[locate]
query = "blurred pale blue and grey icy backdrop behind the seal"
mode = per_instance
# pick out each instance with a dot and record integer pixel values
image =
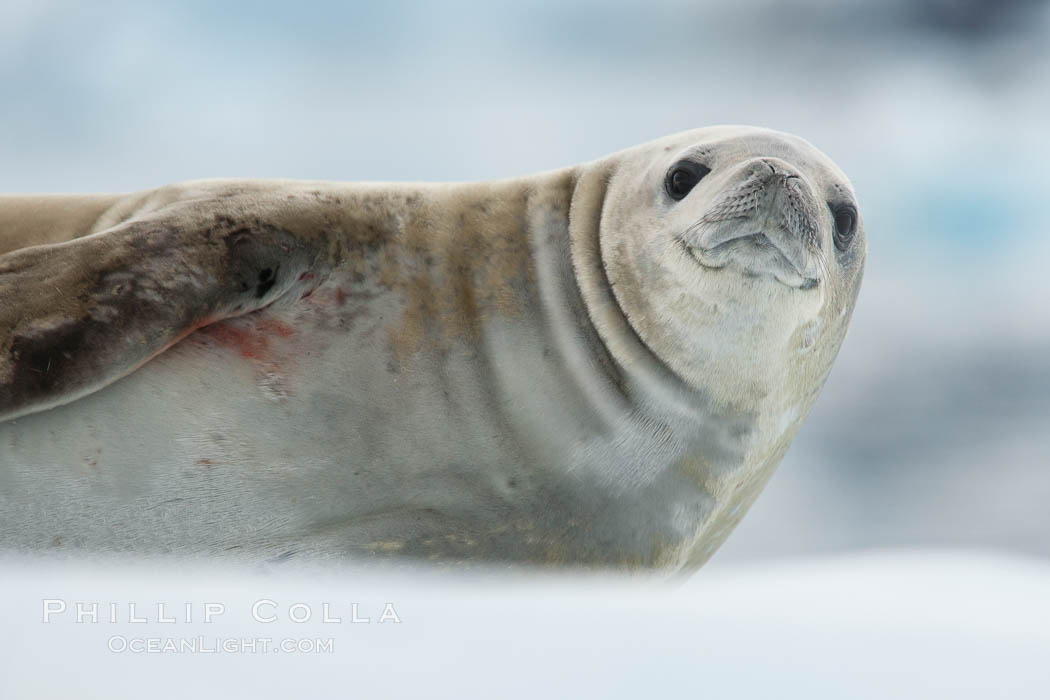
(935, 427)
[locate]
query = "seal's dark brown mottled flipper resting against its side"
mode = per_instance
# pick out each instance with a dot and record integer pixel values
(77, 316)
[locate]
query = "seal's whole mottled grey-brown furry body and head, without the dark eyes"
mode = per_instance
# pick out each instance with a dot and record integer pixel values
(569, 368)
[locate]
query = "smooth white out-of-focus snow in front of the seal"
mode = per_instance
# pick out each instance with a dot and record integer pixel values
(889, 625)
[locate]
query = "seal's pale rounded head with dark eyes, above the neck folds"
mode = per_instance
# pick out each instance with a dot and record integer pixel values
(736, 254)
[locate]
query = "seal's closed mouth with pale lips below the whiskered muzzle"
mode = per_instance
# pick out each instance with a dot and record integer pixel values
(757, 254)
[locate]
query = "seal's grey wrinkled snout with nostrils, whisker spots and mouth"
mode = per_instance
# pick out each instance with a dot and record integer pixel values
(765, 220)
